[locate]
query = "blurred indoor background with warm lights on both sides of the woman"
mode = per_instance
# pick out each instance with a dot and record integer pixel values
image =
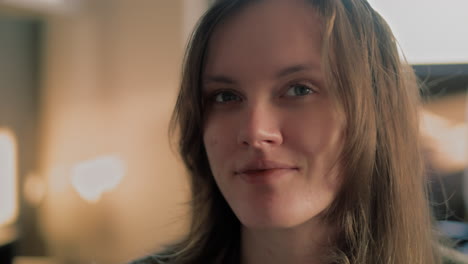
(87, 87)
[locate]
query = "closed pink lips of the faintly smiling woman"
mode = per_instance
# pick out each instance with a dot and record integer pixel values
(261, 171)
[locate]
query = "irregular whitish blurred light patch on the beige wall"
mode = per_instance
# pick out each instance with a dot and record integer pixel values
(94, 177)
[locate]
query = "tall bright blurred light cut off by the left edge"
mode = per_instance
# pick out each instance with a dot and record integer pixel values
(8, 184)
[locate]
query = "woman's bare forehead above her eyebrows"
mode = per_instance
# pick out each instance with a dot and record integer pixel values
(264, 37)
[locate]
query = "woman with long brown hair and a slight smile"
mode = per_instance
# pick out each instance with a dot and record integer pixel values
(299, 129)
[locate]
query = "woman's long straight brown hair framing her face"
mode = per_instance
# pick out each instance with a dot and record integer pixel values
(381, 210)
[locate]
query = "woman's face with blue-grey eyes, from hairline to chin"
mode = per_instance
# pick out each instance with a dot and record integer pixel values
(271, 132)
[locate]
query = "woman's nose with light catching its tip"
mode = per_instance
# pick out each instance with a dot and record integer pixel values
(260, 127)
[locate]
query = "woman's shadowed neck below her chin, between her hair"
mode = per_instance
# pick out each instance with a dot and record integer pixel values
(302, 244)
